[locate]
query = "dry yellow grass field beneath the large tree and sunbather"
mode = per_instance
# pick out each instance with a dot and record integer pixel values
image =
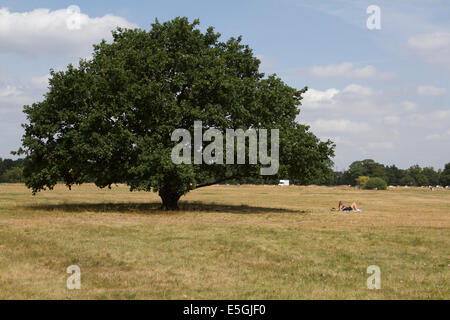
(227, 242)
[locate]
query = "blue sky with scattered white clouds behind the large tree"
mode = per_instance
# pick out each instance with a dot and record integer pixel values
(381, 94)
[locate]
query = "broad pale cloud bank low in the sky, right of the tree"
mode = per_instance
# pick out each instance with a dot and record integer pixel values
(372, 123)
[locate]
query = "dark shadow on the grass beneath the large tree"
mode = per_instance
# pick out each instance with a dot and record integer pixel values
(155, 207)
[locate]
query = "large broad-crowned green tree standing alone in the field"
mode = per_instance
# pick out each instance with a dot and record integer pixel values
(110, 120)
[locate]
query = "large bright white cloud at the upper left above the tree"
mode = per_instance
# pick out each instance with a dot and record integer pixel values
(42, 31)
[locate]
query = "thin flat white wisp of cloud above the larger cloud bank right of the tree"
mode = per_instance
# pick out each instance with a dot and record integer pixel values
(347, 70)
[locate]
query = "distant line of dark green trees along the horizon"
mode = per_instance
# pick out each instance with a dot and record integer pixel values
(11, 171)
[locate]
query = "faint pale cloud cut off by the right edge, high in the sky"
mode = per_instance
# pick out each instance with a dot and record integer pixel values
(433, 48)
